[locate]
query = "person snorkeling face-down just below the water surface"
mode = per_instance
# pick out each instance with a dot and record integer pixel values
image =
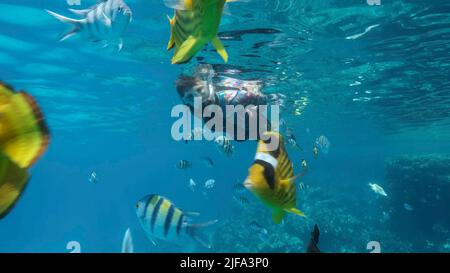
(221, 94)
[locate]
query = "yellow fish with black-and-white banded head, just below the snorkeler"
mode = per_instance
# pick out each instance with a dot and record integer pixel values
(271, 177)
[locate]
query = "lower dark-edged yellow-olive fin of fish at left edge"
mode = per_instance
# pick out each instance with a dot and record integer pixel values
(13, 180)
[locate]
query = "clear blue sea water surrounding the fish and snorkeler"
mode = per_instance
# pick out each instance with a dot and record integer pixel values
(373, 79)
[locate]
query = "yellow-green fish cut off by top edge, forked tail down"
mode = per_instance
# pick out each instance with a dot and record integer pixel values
(195, 23)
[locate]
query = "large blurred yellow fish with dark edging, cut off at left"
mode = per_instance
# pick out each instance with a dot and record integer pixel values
(24, 137)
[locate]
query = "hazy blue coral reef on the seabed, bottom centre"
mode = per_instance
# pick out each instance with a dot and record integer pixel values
(340, 230)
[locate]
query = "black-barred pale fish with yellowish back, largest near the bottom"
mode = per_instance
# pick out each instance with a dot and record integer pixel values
(161, 219)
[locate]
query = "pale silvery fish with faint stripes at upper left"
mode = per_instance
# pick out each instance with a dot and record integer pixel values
(106, 21)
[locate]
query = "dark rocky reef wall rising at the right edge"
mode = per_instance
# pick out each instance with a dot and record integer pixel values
(419, 200)
